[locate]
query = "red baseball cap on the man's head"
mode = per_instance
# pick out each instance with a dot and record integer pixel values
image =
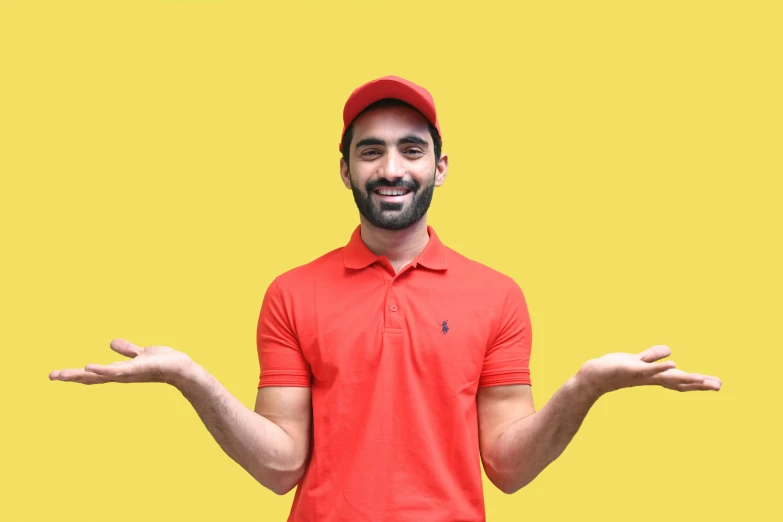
(388, 87)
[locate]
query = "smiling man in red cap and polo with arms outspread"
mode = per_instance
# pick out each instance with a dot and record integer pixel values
(392, 367)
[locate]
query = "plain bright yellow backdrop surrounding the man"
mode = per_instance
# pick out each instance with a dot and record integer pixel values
(162, 161)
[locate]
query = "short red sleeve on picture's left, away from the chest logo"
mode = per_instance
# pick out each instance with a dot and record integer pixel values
(279, 353)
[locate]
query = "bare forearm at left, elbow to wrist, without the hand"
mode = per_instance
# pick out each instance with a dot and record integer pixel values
(257, 444)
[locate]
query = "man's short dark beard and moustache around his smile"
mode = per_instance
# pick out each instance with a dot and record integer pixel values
(393, 216)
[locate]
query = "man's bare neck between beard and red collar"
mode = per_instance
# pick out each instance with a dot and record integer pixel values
(399, 246)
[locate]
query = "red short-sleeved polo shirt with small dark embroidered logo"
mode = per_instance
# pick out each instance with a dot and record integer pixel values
(394, 362)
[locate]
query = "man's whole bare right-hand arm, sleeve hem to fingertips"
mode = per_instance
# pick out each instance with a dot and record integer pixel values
(517, 442)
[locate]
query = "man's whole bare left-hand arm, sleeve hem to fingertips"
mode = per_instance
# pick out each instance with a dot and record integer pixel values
(272, 443)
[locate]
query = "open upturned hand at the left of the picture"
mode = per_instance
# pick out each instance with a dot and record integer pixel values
(151, 364)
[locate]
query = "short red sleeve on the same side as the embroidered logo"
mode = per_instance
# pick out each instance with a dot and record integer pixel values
(507, 359)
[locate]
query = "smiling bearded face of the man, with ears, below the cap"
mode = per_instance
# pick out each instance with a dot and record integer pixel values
(392, 170)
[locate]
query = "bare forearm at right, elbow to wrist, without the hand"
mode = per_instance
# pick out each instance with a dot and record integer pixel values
(530, 444)
